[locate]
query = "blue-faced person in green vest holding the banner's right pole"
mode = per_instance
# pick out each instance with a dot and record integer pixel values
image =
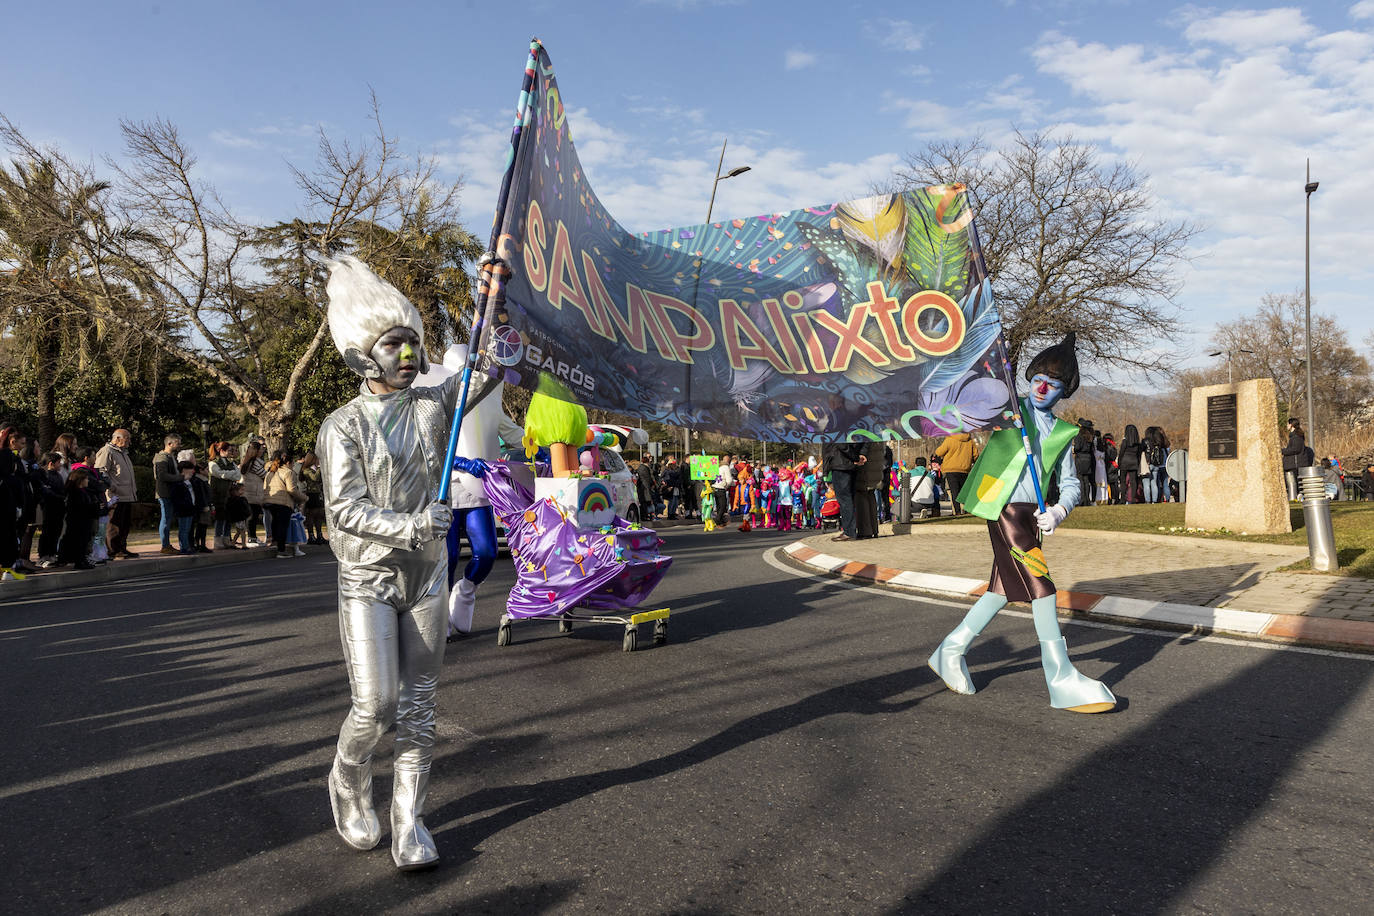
(1001, 490)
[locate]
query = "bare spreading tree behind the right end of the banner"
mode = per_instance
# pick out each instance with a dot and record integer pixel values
(1072, 244)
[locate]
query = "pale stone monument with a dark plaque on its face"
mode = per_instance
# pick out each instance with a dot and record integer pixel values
(1236, 473)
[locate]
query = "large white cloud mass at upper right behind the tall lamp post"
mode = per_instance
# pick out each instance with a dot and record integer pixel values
(1225, 138)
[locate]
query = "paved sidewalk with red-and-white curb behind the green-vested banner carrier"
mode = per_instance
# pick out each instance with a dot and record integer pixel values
(1153, 580)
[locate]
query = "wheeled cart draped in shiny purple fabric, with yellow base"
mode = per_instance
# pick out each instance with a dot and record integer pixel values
(561, 568)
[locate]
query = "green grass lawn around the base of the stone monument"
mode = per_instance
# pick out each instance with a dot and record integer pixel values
(1353, 523)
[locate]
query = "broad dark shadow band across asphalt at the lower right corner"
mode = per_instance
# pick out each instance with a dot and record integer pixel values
(1130, 830)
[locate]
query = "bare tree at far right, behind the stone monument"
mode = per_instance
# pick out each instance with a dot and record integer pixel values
(1273, 344)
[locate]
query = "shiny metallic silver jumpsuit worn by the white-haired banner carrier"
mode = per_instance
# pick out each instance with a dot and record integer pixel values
(383, 461)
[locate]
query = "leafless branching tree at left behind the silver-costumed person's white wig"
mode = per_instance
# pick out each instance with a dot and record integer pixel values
(167, 262)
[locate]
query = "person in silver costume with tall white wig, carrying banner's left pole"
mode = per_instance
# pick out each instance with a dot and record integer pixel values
(383, 462)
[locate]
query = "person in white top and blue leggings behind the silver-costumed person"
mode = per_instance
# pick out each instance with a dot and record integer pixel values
(486, 425)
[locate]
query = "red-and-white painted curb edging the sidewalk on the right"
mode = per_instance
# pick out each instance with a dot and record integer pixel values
(1192, 619)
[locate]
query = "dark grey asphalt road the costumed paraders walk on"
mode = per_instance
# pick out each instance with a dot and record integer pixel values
(788, 752)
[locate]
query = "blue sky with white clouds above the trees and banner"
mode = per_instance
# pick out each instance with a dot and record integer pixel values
(1218, 104)
